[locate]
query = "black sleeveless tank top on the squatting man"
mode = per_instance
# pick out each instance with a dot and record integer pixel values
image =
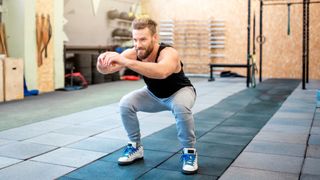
(163, 88)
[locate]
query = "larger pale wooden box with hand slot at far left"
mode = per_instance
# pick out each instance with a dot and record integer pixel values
(13, 79)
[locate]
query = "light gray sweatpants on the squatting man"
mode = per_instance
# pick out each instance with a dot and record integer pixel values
(180, 104)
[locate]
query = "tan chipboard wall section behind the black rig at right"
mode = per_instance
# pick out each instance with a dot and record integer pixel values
(282, 53)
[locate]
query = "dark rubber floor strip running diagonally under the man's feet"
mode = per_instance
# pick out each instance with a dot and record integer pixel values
(222, 130)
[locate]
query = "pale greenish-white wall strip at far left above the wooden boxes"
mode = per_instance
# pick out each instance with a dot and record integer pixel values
(19, 19)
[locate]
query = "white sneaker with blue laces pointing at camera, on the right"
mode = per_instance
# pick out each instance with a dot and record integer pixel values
(190, 161)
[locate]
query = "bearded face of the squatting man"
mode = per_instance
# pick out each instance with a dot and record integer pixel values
(143, 42)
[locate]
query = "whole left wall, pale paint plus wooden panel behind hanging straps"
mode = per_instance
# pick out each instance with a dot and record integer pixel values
(20, 22)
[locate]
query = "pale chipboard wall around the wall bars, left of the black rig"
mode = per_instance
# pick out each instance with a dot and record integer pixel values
(231, 12)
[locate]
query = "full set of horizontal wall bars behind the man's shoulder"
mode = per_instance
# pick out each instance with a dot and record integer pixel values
(198, 42)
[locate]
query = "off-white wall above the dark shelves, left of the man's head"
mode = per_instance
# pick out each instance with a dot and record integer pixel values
(86, 29)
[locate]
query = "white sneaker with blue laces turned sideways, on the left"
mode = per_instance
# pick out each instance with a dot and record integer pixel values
(130, 154)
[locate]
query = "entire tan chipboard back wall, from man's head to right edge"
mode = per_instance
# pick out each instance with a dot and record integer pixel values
(282, 54)
